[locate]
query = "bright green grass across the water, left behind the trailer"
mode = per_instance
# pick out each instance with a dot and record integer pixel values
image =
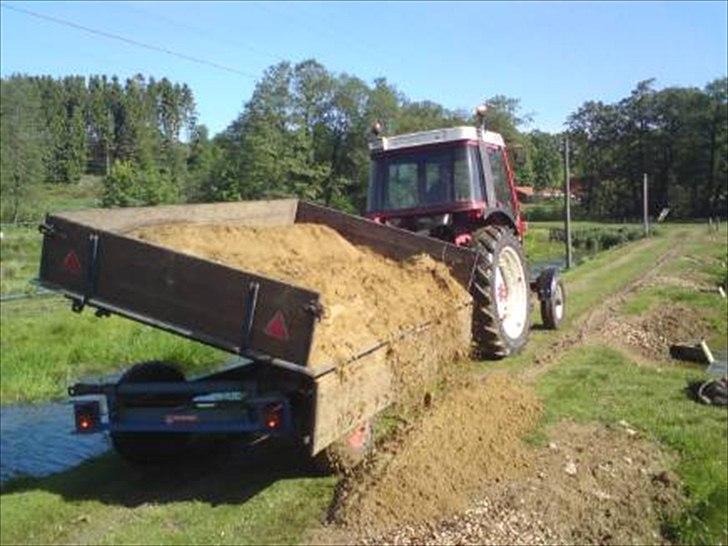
(43, 346)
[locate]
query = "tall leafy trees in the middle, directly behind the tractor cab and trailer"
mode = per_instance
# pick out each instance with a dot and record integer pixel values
(304, 132)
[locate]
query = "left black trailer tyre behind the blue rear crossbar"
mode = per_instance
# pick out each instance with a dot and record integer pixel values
(148, 447)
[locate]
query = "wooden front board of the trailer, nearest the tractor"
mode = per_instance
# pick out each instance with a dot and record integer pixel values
(392, 242)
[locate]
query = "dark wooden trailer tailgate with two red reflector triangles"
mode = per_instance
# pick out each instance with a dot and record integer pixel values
(196, 298)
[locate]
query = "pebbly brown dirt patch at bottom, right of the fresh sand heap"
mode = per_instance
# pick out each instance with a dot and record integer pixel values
(590, 485)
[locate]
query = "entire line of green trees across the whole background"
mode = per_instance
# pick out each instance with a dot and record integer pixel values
(304, 133)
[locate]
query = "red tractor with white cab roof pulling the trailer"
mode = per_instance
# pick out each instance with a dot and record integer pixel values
(458, 185)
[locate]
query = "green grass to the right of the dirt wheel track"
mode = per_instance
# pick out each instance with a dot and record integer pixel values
(605, 384)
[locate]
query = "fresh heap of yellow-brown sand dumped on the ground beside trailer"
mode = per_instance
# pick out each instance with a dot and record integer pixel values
(470, 437)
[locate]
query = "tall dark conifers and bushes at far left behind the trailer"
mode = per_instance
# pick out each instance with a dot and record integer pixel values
(56, 130)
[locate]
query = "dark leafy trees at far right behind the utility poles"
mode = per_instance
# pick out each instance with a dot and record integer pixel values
(678, 136)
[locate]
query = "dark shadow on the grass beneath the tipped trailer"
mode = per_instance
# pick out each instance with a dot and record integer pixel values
(228, 475)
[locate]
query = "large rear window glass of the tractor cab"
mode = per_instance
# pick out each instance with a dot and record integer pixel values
(425, 178)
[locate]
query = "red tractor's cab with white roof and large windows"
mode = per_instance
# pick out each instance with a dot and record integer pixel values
(445, 183)
